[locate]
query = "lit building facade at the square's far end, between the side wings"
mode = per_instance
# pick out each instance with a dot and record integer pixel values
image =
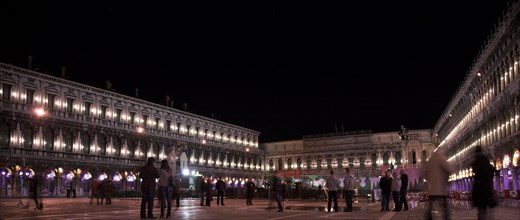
(367, 154)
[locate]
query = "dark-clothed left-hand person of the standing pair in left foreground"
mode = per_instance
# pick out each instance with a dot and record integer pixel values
(148, 174)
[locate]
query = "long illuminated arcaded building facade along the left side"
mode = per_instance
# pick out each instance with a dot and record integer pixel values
(73, 133)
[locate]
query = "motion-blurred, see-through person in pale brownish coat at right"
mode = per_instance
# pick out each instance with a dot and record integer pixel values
(437, 172)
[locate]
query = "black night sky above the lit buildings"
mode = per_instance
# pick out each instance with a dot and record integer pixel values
(285, 70)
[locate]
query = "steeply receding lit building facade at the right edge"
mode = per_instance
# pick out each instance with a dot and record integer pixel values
(485, 110)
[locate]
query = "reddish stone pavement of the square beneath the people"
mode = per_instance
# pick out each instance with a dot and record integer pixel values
(128, 208)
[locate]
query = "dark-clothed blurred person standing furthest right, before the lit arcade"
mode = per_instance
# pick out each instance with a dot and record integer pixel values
(482, 192)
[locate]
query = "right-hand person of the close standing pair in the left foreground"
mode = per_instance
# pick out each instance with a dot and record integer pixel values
(165, 199)
